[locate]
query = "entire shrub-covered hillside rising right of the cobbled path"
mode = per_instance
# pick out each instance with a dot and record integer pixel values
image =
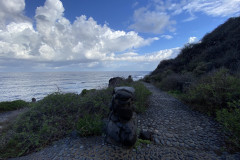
(206, 76)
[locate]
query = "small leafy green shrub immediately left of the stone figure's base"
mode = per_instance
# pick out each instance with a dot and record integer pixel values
(89, 125)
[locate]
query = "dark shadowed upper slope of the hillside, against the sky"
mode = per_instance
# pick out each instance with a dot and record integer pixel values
(220, 48)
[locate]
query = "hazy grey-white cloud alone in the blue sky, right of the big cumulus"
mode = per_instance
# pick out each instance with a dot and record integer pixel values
(154, 21)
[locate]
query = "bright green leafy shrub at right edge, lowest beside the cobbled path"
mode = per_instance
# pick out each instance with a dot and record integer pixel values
(230, 118)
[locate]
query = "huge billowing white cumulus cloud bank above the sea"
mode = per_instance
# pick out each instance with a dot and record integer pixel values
(56, 42)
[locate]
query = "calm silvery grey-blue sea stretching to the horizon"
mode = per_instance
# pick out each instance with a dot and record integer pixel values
(25, 86)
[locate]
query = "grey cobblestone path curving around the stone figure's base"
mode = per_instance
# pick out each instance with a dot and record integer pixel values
(178, 133)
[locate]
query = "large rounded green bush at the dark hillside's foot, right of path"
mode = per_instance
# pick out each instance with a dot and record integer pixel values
(214, 91)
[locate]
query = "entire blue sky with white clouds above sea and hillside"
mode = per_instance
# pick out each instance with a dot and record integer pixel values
(103, 35)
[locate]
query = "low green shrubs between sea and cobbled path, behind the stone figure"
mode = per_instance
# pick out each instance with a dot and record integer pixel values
(57, 115)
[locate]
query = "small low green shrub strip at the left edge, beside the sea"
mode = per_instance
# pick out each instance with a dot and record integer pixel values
(10, 106)
